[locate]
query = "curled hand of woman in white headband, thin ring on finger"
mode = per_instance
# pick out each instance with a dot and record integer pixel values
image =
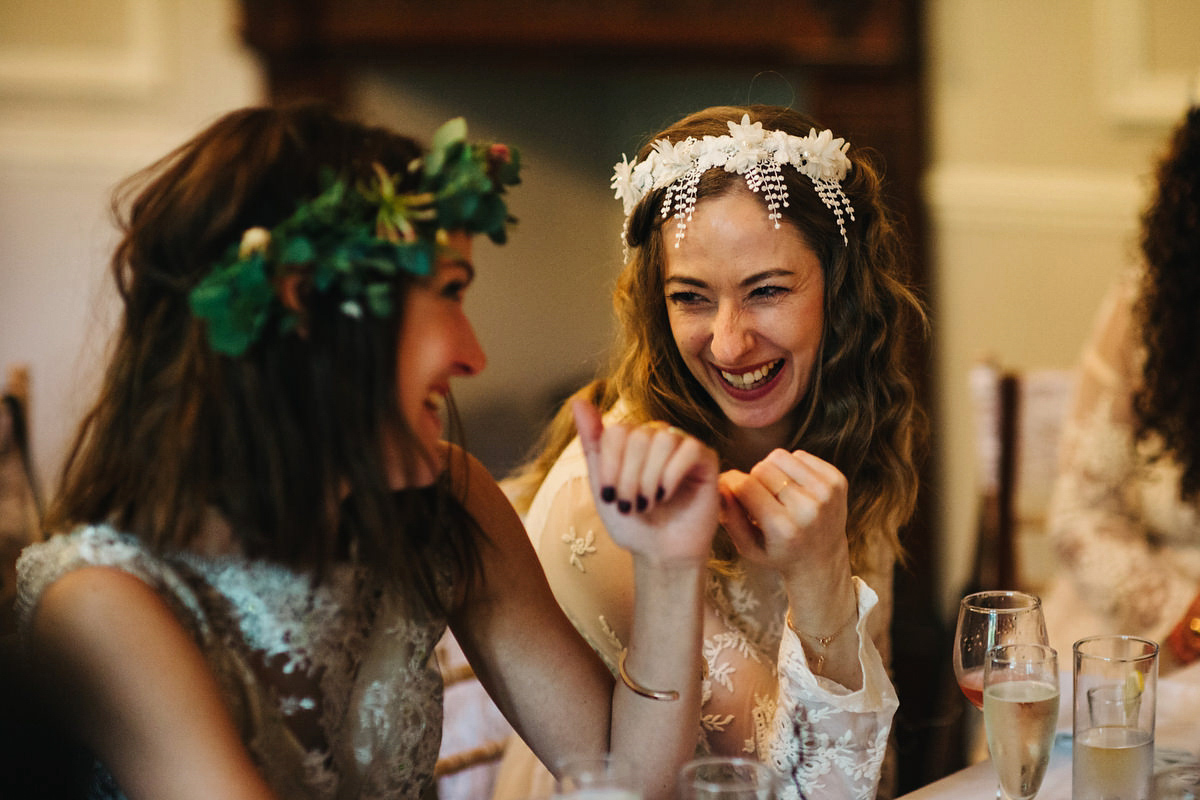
(790, 515)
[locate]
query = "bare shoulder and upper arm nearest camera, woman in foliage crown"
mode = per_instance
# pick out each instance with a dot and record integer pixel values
(131, 669)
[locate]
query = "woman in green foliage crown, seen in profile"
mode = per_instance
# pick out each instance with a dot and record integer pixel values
(261, 534)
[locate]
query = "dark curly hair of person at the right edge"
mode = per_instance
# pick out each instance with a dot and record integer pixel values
(1167, 406)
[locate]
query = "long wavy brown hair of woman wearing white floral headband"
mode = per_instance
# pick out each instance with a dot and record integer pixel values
(860, 412)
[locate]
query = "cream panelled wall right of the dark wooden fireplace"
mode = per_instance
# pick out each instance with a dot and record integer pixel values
(1046, 122)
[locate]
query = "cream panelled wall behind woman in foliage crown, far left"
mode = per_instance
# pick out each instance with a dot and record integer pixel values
(91, 91)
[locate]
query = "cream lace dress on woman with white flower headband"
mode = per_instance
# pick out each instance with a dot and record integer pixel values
(760, 697)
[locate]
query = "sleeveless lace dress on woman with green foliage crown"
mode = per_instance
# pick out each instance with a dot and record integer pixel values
(332, 688)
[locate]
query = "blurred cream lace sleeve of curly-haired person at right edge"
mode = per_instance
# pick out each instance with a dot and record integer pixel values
(1097, 518)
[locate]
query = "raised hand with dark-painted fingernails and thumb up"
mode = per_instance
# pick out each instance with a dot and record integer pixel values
(655, 486)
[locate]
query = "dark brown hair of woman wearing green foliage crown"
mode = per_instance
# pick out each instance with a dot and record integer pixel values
(286, 442)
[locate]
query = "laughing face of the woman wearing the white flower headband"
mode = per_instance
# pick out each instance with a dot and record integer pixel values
(746, 305)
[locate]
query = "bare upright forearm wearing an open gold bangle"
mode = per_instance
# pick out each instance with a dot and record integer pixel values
(659, 736)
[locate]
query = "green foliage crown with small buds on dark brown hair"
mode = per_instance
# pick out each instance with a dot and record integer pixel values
(353, 239)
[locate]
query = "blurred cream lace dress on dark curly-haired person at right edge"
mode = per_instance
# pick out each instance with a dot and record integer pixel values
(1129, 550)
